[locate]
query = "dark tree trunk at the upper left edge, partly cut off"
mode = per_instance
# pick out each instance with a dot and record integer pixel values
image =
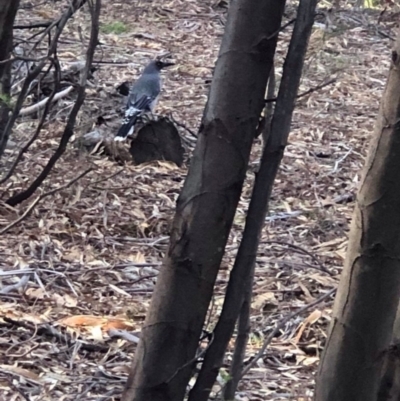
(8, 11)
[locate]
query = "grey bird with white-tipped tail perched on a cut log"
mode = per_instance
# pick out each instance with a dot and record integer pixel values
(142, 97)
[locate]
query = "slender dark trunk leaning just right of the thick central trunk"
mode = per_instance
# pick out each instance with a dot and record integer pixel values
(243, 269)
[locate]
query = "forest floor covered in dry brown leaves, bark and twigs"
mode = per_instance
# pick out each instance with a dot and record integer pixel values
(89, 254)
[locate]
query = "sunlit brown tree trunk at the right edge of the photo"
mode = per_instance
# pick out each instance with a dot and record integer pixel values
(368, 294)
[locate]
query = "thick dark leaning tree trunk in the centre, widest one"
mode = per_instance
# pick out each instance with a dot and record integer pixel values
(166, 353)
